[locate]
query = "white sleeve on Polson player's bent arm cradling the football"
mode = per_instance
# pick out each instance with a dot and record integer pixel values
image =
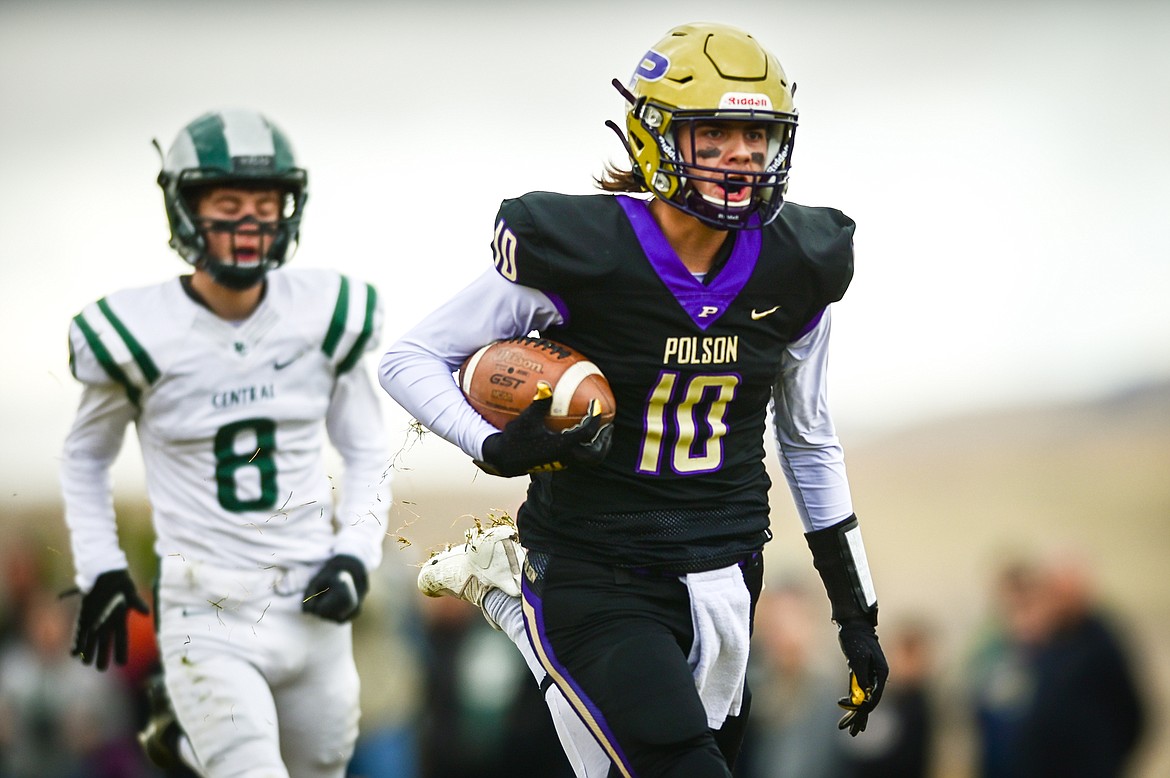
(418, 370)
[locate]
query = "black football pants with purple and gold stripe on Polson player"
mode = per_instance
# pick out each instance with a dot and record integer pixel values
(617, 644)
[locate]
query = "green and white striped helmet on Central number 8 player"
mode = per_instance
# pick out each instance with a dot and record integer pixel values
(240, 149)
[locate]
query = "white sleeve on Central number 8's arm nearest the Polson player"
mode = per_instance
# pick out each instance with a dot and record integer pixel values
(355, 426)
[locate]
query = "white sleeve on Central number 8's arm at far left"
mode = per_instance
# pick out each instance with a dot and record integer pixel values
(91, 450)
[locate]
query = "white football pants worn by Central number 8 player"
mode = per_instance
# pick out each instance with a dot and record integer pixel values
(261, 690)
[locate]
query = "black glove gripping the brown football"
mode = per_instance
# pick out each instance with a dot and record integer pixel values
(526, 445)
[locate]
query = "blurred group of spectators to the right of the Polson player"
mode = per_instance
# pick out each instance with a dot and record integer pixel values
(1048, 687)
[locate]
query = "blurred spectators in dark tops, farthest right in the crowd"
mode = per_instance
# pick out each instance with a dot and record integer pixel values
(1055, 687)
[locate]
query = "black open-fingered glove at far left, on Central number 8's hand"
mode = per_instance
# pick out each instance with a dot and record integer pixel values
(102, 622)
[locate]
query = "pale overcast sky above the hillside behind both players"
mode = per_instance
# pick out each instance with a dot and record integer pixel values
(1008, 164)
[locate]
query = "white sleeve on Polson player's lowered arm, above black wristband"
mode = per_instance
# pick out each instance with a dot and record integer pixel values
(811, 456)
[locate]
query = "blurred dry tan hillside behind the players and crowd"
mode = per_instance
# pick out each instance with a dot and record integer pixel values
(941, 505)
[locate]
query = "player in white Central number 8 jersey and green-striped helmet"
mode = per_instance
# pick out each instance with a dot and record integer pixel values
(233, 377)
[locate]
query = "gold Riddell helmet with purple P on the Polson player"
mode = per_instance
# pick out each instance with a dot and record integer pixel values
(703, 73)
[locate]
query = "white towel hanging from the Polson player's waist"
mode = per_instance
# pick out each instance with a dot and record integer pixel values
(720, 609)
